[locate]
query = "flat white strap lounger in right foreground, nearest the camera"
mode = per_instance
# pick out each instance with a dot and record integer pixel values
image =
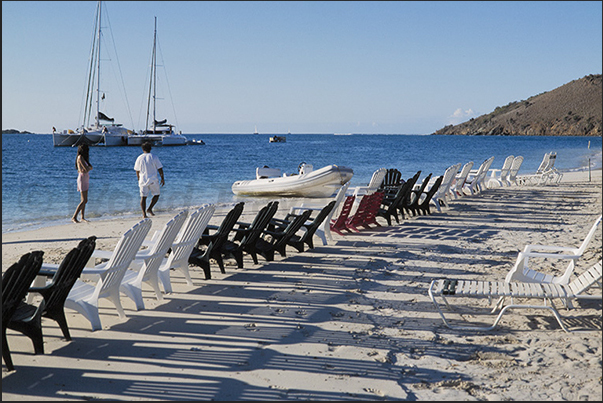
(546, 292)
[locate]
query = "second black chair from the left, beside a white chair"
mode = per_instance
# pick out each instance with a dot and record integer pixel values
(27, 318)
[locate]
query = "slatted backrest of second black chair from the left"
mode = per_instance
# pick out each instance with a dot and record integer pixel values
(68, 272)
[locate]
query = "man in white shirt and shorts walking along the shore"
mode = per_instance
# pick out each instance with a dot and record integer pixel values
(147, 166)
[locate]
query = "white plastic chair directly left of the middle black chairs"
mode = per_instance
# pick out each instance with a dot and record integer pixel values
(183, 245)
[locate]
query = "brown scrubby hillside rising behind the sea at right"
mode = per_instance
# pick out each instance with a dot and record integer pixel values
(574, 109)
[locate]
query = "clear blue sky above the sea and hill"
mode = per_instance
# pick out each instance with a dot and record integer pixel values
(304, 67)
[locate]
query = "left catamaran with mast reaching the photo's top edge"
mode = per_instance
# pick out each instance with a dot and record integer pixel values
(104, 130)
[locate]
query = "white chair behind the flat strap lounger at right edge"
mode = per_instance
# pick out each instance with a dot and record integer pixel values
(522, 272)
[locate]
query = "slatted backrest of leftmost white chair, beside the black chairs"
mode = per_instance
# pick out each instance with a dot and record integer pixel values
(123, 254)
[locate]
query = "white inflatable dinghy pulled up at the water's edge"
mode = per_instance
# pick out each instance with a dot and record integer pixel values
(308, 182)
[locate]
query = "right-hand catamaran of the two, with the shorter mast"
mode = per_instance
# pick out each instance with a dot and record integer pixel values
(159, 132)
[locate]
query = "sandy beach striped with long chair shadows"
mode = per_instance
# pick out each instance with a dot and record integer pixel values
(347, 321)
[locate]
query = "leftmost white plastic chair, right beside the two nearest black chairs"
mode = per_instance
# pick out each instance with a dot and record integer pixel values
(84, 297)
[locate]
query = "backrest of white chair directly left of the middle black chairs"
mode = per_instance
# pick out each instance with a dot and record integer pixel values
(189, 235)
